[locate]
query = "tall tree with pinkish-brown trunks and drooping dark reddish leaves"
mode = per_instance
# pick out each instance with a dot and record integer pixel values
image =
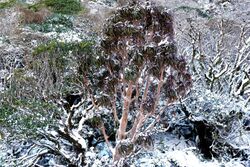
(139, 69)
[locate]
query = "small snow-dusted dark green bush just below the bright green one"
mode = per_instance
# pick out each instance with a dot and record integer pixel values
(57, 23)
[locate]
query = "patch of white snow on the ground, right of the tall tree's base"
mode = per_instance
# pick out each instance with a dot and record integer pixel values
(169, 149)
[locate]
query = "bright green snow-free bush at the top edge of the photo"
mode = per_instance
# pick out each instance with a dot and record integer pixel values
(64, 6)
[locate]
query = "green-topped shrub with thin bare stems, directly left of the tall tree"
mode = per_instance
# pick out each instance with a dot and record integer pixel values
(58, 64)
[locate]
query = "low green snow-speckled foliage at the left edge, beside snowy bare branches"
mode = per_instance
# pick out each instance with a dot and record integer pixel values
(25, 116)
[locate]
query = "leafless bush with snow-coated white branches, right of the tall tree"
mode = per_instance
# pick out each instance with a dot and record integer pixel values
(215, 62)
